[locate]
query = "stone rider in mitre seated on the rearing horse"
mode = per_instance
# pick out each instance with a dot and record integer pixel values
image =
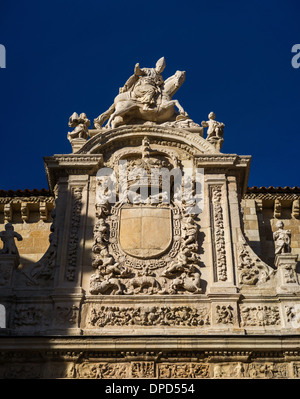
(145, 84)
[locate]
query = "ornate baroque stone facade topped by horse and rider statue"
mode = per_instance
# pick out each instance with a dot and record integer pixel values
(126, 275)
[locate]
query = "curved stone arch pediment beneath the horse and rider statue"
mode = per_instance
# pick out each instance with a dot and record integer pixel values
(127, 135)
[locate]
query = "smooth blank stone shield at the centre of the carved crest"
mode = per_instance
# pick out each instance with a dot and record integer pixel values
(145, 232)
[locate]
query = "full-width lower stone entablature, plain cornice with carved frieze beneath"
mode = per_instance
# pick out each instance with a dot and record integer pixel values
(210, 357)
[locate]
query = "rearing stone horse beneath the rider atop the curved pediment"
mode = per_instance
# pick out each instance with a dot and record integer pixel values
(125, 108)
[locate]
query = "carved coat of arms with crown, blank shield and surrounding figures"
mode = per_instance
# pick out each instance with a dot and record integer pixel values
(129, 257)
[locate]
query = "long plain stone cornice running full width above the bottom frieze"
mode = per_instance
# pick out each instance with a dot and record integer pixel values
(198, 343)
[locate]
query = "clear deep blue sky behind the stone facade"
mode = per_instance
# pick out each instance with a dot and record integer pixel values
(65, 56)
